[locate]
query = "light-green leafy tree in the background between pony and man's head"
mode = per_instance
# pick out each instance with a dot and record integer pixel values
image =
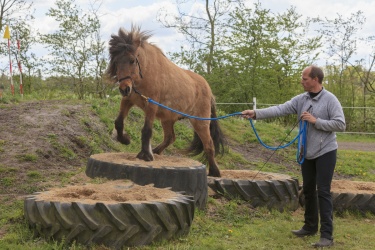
(247, 54)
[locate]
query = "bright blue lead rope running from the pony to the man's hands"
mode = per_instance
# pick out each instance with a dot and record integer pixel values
(301, 151)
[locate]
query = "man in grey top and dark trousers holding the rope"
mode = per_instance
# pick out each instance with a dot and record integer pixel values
(324, 114)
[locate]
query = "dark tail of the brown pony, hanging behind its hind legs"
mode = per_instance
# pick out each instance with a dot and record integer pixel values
(196, 146)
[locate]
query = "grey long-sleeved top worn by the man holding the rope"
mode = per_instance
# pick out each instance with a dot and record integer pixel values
(321, 136)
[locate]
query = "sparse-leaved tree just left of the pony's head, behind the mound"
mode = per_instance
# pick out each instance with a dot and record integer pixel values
(74, 47)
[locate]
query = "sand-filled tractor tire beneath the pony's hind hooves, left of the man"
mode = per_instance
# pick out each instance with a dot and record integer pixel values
(275, 191)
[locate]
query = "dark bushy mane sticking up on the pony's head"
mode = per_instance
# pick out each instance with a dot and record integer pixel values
(125, 42)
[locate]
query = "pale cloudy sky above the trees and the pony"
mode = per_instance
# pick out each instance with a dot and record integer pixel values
(122, 13)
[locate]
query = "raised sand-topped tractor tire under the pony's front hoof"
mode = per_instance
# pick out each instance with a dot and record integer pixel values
(181, 174)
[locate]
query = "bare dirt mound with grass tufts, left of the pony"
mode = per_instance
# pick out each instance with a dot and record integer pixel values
(43, 142)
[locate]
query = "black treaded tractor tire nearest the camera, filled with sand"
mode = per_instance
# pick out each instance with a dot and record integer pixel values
(112, 224)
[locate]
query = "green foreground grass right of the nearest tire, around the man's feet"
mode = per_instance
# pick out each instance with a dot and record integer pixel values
(238, 227)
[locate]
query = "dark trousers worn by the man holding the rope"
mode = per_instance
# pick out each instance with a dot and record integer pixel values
(317, 177)
